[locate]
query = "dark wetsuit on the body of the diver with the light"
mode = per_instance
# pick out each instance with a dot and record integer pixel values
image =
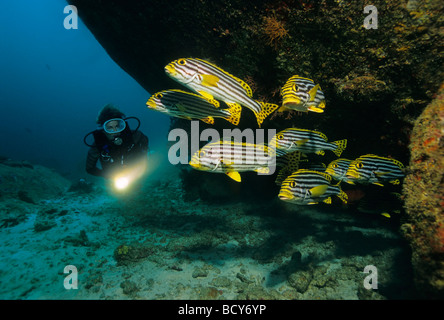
(112, 157)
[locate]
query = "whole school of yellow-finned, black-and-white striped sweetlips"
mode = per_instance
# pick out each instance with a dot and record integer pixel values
(219, 94)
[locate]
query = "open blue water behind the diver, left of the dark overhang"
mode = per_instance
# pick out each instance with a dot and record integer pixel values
(53, 83)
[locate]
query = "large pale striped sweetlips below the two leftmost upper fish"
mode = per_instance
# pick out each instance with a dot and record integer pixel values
(232, 157)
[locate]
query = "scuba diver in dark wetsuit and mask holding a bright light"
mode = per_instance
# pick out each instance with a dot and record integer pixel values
(122, 152)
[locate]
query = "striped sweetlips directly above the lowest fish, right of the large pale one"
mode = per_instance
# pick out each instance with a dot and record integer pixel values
(306, 141)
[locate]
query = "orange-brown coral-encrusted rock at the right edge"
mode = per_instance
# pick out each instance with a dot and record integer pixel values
(424, 202)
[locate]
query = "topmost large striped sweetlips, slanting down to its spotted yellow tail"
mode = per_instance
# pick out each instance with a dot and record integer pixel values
(213, 82)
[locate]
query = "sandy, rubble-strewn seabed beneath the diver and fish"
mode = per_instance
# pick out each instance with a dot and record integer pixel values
(155, 245)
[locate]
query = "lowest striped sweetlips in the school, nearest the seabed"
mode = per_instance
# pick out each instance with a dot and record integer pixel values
(309, 187)
